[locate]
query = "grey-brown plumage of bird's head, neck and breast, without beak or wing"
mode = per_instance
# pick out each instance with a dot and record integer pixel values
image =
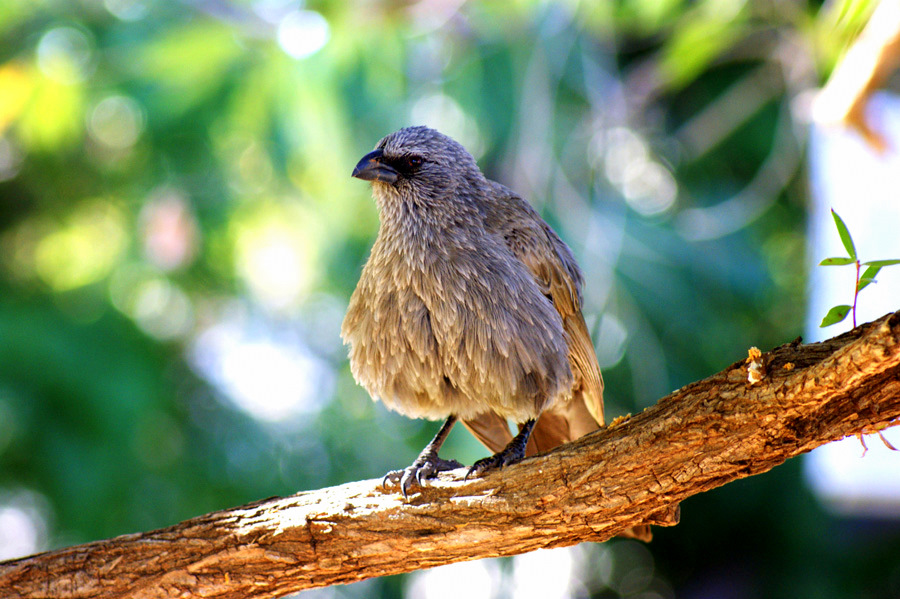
(444, 319)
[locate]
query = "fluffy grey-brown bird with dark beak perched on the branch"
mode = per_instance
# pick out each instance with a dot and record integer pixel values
(468, 308)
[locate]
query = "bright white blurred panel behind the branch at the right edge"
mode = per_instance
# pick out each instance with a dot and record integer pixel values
(860, 184)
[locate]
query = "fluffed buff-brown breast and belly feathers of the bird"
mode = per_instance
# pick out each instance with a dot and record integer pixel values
(431, 335)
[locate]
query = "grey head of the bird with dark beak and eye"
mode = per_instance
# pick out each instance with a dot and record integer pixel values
(417, 160)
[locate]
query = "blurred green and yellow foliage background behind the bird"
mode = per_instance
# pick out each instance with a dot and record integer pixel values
(179, 235)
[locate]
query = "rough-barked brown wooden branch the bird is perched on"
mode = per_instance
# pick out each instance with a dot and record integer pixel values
(637, 470)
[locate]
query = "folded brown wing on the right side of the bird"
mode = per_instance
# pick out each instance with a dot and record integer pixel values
(554, 268)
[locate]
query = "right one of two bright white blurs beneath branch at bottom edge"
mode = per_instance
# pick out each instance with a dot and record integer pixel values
(544, 574)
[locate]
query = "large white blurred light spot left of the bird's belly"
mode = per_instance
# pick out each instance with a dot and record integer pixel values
(271, 375)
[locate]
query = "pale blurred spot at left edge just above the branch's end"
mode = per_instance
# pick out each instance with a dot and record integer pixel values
(23, 523)
